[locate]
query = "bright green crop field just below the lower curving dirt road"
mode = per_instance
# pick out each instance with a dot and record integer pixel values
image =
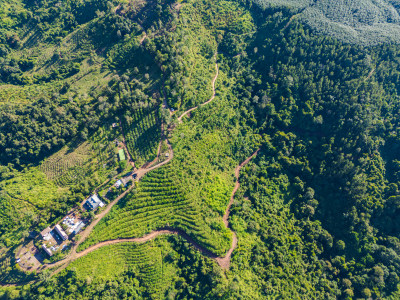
(145, 259)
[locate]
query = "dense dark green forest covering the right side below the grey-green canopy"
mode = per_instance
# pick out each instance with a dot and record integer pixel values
(326, 115)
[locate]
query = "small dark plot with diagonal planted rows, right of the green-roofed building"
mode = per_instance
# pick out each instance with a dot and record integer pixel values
(143, 135)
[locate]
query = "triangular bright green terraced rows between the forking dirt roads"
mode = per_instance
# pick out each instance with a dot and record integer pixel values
(157, 202)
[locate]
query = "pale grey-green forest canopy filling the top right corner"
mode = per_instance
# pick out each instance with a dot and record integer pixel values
(364, 22)
